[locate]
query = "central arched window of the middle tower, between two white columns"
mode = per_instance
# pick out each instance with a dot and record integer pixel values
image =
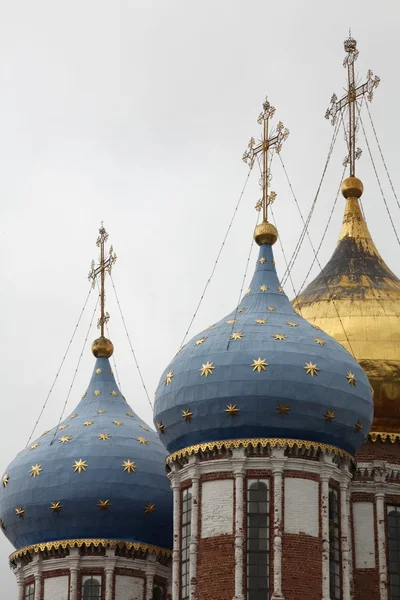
(257, 540)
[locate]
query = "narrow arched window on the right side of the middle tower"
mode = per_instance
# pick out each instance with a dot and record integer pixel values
(335, 578)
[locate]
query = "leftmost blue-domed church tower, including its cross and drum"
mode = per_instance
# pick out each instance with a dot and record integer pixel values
(87, 505)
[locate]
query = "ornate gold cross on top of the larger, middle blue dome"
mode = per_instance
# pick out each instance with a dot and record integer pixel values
(264, 147)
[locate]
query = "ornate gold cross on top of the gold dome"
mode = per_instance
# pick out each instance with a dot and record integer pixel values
(349, 101)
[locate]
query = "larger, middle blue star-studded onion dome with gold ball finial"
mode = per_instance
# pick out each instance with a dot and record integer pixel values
(263, 372)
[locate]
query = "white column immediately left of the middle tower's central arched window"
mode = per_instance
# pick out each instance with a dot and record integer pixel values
(238, 462)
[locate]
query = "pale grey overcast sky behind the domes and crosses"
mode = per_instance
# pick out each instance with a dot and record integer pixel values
(137, 113)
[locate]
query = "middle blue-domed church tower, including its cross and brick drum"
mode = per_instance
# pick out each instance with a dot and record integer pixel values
(262, 415)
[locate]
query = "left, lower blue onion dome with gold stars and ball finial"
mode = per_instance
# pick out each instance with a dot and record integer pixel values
(99, 474)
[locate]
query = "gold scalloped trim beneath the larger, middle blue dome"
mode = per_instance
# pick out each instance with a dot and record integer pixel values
(254, 442)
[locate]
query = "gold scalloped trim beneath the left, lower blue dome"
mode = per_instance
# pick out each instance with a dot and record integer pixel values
(89, 542)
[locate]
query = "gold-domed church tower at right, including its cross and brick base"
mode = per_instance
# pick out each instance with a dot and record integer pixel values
(356, 299)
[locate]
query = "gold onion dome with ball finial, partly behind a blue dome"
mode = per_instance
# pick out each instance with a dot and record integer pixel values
(357, 300)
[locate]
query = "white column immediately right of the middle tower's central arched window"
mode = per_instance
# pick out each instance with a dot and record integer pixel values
(278, 460)
